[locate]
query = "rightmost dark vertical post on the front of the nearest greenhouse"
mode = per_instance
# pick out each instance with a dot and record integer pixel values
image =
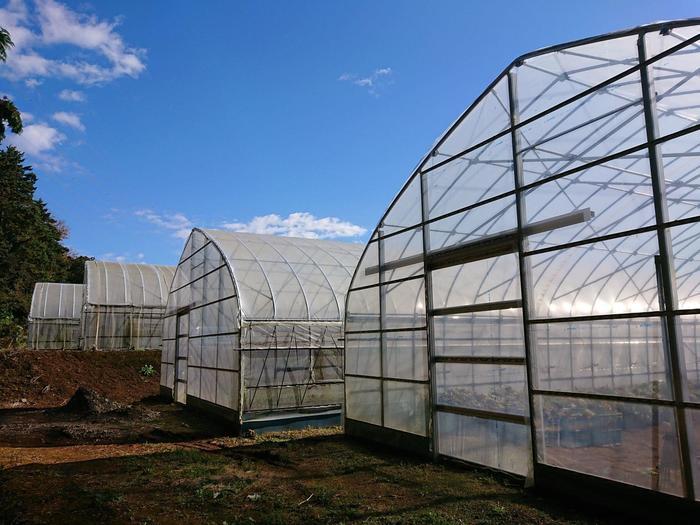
(667, 293)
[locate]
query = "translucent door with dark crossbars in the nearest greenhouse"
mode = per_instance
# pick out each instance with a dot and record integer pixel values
(479, 375)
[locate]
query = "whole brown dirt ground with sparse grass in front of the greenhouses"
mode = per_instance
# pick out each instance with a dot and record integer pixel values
(87, 459)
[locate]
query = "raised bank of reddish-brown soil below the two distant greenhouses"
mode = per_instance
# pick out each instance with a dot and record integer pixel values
(43, 379)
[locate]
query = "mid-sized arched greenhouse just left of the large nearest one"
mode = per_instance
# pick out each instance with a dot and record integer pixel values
(253, 328)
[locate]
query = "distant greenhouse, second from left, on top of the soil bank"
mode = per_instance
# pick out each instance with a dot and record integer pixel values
(124, 305)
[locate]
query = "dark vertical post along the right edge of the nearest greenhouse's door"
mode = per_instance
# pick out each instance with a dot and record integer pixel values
(523, 262)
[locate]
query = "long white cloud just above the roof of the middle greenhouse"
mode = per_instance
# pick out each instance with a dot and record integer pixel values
(299, 224)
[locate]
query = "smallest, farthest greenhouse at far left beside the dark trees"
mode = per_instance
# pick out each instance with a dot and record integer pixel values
(54, 317)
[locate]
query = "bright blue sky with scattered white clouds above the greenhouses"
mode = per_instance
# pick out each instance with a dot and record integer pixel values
(144, 119)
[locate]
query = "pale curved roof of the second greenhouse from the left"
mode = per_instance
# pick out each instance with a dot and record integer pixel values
(121, 284)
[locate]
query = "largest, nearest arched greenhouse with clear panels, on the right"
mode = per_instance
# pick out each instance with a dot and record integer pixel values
(530, 301)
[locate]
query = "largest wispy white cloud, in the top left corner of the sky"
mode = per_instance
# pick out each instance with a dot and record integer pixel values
(51, 24)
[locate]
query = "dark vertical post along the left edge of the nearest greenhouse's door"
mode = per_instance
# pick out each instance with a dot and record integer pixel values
(431, 420)
